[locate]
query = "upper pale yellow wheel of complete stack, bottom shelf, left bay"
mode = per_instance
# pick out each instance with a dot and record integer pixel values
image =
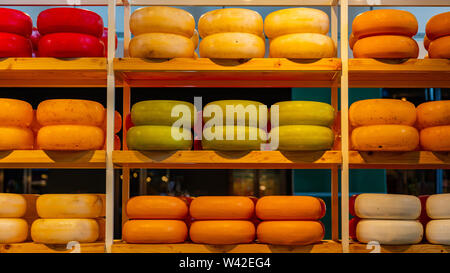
(69, 206)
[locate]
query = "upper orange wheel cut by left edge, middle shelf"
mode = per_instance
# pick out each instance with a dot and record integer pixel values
(15, 113)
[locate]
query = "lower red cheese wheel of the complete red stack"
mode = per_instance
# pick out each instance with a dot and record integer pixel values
(70, 45)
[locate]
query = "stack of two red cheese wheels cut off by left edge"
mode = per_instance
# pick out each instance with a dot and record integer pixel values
(15, 30)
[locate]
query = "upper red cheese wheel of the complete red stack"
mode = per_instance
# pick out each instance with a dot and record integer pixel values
(75, 20)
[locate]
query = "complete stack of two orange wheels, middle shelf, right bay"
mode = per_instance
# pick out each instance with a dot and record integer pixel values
(383, 125)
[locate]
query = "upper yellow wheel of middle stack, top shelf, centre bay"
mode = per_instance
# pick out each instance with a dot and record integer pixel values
(230, 20)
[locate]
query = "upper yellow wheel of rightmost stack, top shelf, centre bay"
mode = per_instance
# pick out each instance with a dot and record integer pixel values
(296, 20)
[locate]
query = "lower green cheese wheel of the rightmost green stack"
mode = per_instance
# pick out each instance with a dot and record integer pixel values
(302, 138)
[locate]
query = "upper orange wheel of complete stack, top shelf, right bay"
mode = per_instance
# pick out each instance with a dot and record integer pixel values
(384, 22)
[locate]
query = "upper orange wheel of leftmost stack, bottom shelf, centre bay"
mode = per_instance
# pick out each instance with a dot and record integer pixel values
(156, 207)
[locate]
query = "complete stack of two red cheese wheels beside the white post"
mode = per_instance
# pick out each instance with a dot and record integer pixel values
(70, 33)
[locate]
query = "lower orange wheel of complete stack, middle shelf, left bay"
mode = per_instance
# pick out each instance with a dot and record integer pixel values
(70, 138)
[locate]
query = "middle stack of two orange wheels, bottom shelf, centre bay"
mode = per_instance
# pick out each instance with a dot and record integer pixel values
(222, 220)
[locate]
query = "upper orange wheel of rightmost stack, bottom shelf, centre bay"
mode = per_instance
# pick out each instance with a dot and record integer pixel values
(290, 208)
